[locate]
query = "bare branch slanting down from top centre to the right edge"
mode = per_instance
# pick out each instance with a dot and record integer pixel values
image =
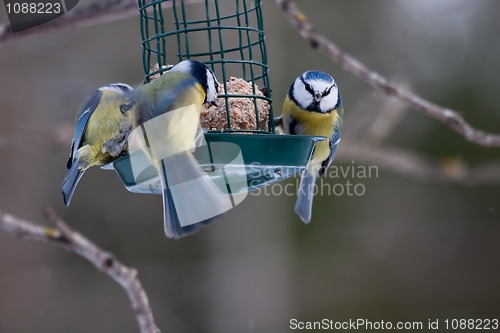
(347, 62)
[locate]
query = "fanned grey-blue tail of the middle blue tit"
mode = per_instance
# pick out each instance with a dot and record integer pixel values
(190, 198)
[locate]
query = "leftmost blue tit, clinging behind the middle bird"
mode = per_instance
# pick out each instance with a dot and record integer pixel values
(102, 126)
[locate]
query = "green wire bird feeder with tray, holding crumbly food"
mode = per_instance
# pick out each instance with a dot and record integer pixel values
(229, 37)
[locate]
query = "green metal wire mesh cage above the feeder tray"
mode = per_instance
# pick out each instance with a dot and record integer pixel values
(170, 36)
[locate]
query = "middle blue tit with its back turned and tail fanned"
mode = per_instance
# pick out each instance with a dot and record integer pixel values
(168, 125)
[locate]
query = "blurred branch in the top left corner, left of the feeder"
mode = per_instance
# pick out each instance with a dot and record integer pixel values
(80, 17)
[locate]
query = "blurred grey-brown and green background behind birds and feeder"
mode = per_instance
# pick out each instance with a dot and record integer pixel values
(405, 250)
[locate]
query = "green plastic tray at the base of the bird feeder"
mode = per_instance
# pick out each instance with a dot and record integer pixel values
(246, 161)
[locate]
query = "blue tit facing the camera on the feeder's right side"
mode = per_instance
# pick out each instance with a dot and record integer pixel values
(312, 107)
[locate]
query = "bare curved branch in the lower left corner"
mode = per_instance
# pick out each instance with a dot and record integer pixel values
(62, 235)
